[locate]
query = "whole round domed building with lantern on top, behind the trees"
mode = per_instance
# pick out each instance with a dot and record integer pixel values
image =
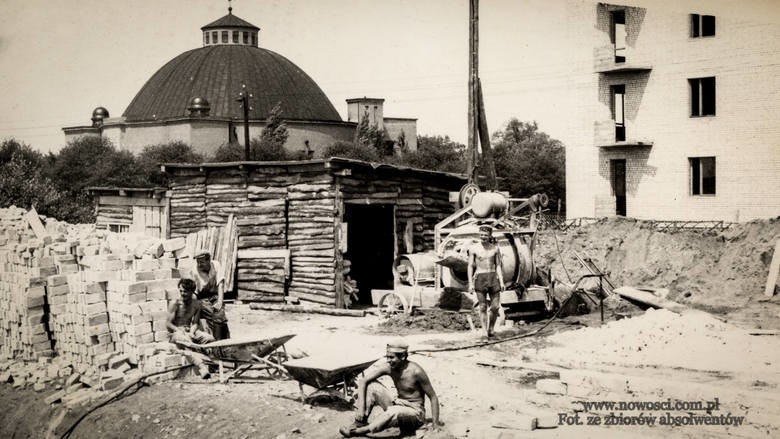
(196, 98)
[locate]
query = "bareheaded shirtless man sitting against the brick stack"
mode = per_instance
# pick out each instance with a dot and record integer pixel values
(183, 322)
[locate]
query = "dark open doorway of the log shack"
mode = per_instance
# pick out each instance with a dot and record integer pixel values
(370, 235)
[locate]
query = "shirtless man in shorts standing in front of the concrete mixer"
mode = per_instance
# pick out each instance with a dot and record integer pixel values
(486, 278)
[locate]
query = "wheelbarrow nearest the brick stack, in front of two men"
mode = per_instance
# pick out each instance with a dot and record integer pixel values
(248, 354)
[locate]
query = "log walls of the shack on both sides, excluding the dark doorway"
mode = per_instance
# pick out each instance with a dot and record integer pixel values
(300, 208)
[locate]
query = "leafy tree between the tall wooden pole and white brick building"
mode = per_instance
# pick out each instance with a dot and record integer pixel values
(530, 160)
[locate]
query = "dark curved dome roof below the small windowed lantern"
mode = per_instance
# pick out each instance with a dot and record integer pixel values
(217, 73)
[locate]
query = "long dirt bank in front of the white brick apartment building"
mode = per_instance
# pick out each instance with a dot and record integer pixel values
(711, 270)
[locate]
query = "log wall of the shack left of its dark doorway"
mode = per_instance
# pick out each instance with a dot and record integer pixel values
(274, 209)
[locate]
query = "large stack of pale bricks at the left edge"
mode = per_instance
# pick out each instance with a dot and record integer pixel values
(83, 305)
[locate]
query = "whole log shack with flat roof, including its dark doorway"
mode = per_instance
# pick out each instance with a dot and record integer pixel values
(304, 225)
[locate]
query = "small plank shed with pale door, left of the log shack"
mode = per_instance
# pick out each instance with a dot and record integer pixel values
(134, 210)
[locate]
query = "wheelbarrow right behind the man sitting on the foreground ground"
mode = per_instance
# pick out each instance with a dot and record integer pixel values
(332, 377)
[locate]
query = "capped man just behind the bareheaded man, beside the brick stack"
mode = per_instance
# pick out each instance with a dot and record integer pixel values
(210, 292)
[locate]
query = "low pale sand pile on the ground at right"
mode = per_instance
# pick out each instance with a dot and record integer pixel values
(694, 340)
